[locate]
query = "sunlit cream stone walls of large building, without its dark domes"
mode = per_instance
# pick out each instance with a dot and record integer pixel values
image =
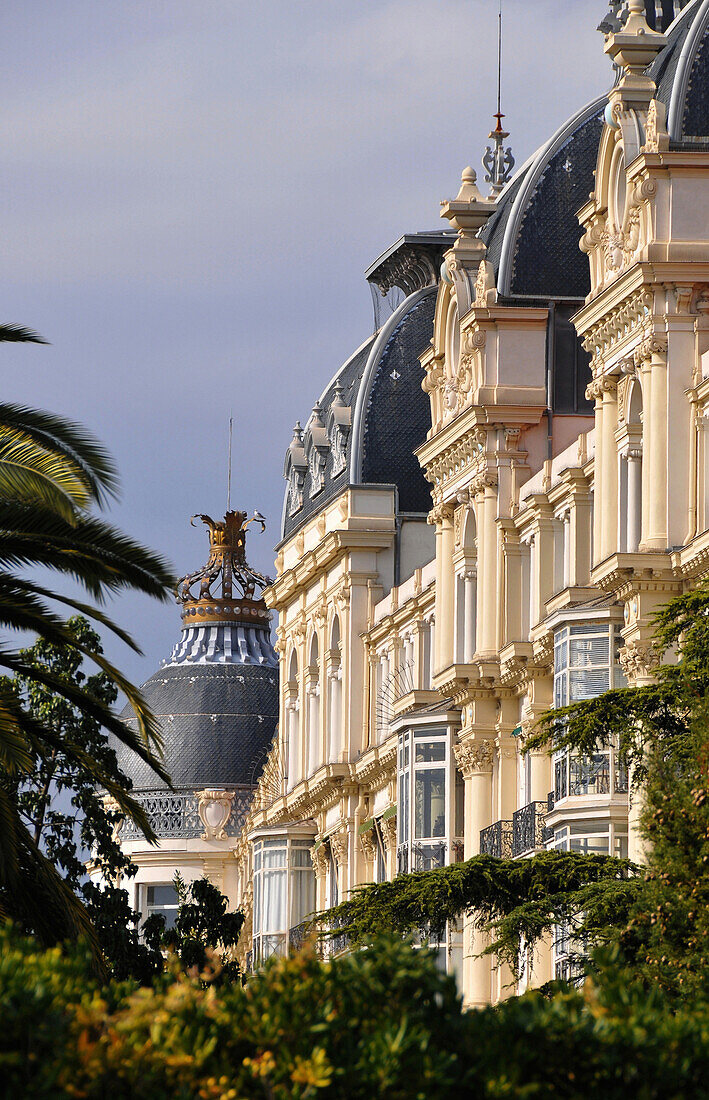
(553, 549)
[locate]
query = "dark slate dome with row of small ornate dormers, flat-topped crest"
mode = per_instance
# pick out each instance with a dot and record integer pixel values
(374, 413)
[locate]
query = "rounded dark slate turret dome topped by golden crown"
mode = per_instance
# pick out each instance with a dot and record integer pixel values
(217, 697)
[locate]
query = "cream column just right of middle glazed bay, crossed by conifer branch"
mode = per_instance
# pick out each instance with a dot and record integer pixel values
(475, 762)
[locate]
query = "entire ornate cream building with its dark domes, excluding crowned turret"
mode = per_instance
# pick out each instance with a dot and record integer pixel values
(486, 507)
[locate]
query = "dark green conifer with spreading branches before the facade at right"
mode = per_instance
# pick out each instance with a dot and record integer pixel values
(658, 918)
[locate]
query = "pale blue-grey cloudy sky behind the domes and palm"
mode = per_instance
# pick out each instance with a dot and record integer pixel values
(191, 192)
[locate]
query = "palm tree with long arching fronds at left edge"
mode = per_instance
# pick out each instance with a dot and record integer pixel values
(52, 474)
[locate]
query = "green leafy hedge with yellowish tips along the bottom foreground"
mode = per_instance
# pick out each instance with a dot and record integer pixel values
(381, 1024)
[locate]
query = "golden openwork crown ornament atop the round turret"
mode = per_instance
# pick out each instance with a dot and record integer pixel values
(239, 593)
